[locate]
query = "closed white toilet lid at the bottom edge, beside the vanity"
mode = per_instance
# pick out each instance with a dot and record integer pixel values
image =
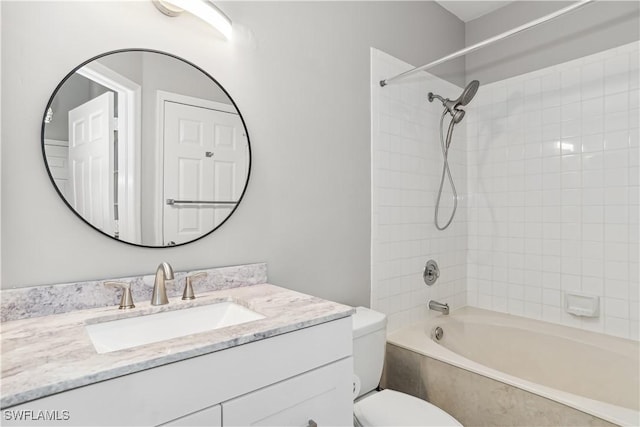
(392, 408)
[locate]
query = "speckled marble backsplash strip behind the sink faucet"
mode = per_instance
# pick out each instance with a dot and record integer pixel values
(46, 300)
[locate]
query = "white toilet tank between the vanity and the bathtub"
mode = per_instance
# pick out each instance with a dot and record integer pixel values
(369, 339)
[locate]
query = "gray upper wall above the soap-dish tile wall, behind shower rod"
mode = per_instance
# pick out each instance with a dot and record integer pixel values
(593, 28)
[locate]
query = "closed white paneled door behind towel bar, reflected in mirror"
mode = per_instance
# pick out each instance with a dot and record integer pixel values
(205, 160)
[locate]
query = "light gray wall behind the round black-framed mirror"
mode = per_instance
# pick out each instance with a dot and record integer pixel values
(299, 72)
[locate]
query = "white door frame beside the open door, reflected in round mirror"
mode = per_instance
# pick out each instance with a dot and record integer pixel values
(129, 141)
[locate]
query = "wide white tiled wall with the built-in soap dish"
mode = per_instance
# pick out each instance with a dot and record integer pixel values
(554, 192)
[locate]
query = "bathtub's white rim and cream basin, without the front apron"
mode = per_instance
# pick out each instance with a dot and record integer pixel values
(594, 373)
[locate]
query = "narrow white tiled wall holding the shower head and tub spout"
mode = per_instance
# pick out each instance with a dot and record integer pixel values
(406, 168)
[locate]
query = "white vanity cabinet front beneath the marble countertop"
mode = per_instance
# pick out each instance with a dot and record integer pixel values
(289, 379)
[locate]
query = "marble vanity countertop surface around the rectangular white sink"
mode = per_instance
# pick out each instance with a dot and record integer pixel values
(46, 355)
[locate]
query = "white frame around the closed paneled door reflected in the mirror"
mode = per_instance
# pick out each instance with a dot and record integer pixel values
(161, 98)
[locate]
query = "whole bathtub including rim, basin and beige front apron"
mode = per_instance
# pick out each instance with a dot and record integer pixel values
(567, 376)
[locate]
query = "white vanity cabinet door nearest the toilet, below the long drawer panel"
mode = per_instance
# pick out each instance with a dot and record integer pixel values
(320, 397)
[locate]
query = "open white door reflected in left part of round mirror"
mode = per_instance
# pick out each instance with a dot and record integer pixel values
(91, 127)
